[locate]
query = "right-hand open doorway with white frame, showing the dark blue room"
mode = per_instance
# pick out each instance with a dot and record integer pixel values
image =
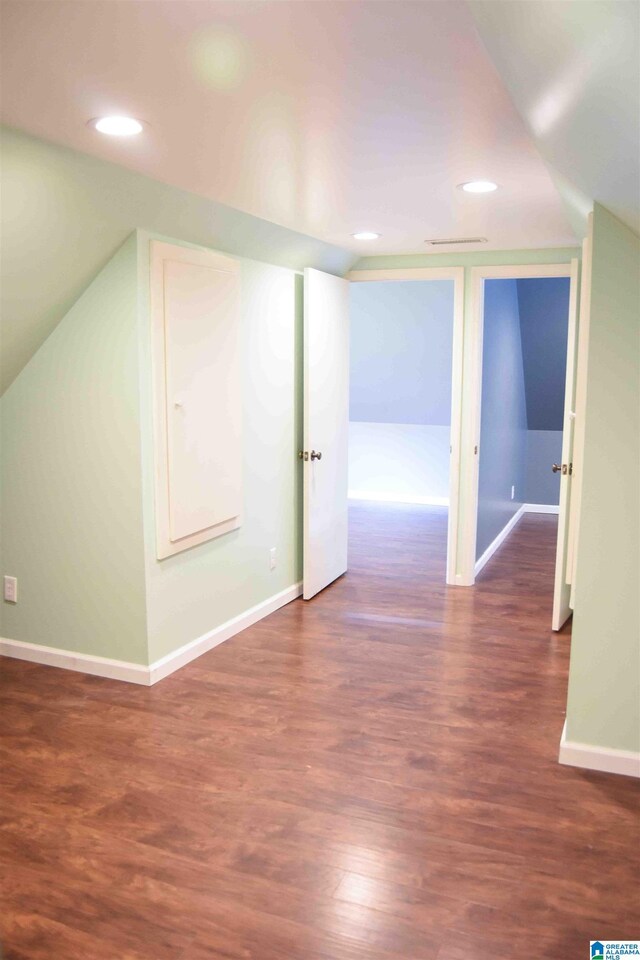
(525, 352)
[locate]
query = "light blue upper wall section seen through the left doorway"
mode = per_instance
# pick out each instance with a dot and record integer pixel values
(401, 351)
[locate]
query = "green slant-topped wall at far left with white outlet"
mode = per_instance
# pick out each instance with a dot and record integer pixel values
(71, 479)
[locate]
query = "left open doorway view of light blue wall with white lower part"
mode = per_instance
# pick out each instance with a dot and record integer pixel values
(403, 416)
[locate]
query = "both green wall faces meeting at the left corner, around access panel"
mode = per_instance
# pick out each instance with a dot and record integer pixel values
(78, 494)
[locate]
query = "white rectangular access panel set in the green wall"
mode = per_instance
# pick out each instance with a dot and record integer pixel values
(195, 316)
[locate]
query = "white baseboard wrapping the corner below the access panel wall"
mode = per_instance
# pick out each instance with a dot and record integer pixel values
(138, 673)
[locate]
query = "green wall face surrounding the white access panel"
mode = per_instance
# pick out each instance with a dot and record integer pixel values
(195, 591)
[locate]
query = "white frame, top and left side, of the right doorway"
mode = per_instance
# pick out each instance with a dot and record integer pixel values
(469, 483)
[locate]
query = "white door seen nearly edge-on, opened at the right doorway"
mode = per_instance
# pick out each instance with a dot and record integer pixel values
(562, 587)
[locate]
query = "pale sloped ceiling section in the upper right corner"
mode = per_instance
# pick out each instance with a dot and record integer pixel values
(573, 71)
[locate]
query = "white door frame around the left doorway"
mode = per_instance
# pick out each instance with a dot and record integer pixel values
(457, 275)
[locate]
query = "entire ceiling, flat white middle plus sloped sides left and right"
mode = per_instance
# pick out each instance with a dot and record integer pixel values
(323, 118)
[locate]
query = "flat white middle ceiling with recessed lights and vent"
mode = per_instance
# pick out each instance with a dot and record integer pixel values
(325, 117)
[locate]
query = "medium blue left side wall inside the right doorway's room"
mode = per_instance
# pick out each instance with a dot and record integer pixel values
(503, 437)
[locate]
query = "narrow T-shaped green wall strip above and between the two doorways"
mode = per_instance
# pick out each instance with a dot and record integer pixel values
(468, 260)
